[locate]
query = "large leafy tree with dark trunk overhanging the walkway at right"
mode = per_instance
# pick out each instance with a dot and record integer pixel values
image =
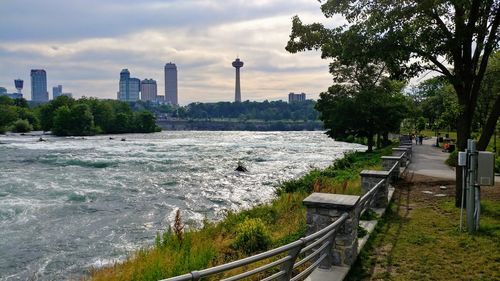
(454, 38)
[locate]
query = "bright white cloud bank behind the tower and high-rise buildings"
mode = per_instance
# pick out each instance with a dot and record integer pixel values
(90, 65)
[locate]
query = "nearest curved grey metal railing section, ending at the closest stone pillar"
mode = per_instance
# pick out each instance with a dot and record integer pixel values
(314, 248)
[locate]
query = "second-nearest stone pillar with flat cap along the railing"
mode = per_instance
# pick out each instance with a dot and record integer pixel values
(371, 178)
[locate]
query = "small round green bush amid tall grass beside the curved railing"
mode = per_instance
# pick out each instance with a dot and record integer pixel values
(252, 236)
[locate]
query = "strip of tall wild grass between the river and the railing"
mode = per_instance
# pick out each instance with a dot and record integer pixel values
(214, 244)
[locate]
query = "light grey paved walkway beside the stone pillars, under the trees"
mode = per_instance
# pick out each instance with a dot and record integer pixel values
(428, 160)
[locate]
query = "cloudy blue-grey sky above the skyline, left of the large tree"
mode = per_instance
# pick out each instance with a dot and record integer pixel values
(83, 45)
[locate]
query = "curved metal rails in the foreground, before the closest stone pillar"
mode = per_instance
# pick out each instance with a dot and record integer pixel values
(299, 245)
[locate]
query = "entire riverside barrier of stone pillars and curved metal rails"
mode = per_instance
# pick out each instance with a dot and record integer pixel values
(337, 228)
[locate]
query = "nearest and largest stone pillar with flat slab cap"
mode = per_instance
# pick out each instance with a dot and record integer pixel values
(325, 208)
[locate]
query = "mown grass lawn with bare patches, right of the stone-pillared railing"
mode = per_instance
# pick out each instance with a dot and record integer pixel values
(421, 241)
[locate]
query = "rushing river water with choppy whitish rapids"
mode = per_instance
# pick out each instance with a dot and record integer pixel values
(69, 204)
